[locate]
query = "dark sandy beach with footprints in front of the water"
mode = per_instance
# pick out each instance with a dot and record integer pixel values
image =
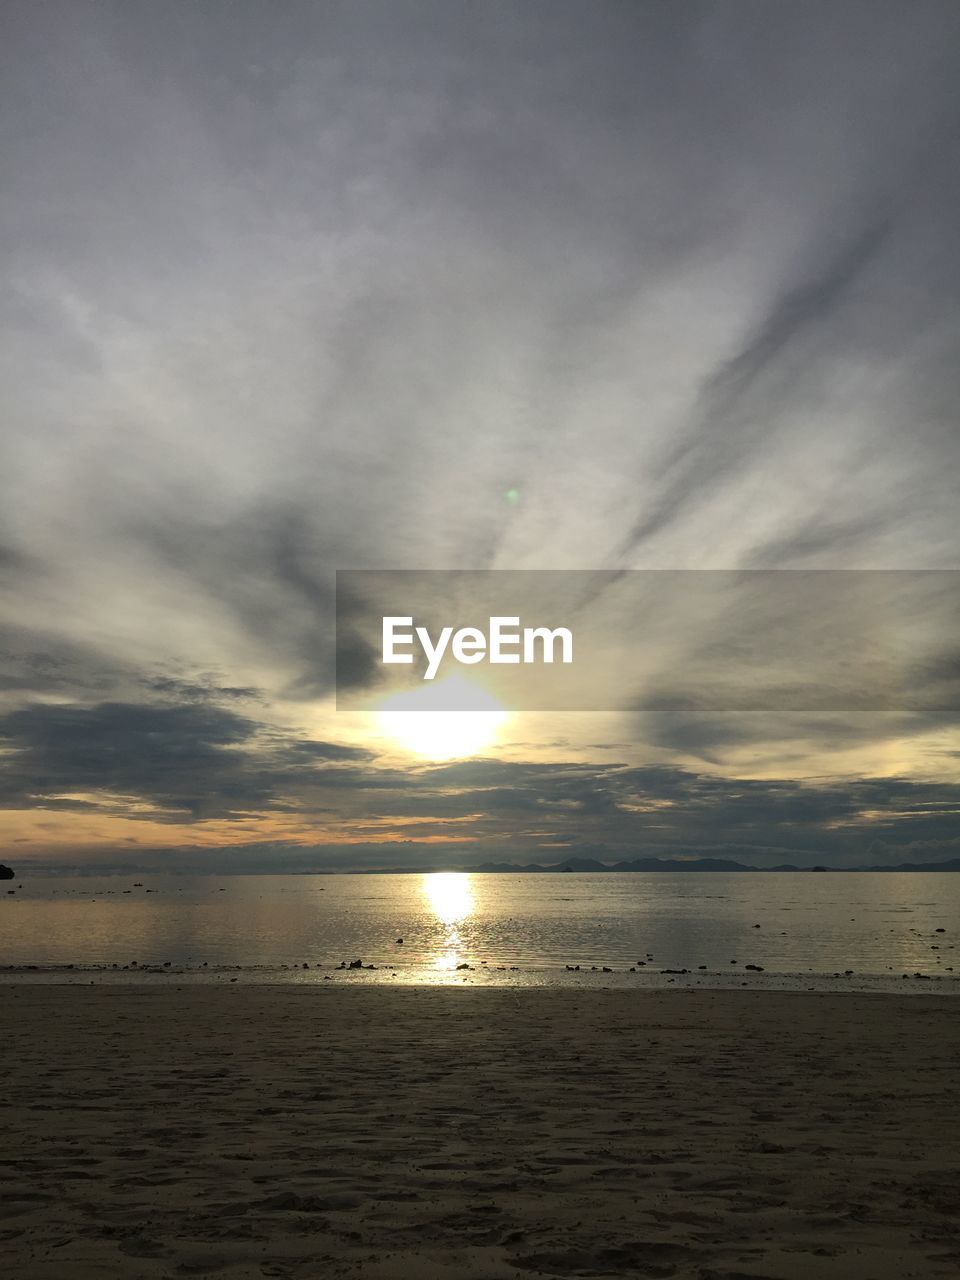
(253, 1131)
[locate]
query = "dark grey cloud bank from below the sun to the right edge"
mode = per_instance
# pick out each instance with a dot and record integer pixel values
(636, 812)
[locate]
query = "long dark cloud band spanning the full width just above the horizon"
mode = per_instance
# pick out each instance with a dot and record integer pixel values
(198, 764)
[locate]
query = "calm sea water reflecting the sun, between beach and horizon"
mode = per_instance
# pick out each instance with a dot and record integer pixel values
(524, 929)
